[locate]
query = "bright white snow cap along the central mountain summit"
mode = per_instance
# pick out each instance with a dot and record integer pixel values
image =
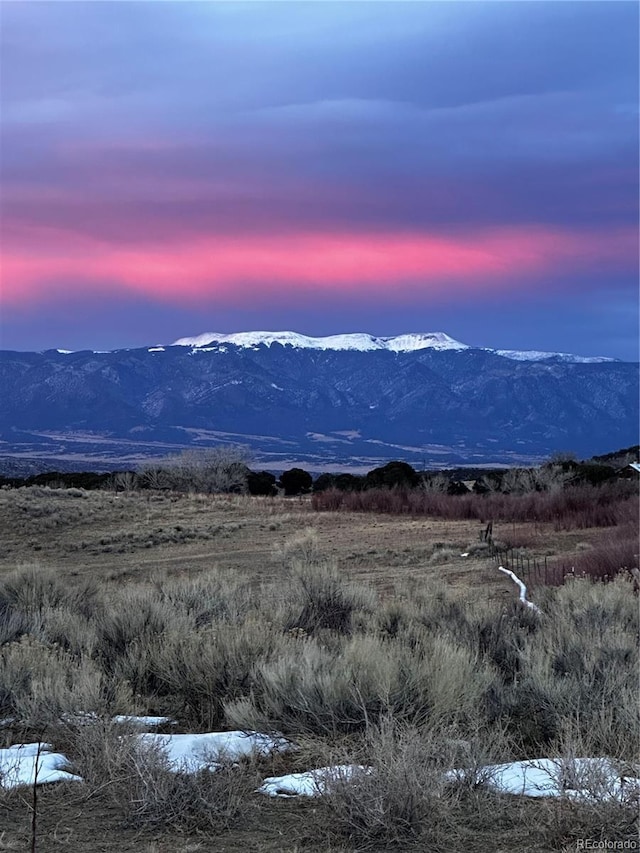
(354, 341)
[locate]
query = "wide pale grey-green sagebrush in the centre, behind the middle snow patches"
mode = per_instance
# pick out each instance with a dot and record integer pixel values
(344, 687)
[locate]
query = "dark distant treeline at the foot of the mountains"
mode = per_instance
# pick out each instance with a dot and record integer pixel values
(223, 470)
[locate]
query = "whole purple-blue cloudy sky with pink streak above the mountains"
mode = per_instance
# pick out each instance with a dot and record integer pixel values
(172, 168)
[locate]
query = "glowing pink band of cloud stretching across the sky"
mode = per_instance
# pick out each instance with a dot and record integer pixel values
(224, 267)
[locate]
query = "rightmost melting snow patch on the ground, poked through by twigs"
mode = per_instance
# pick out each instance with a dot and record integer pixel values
(579, 778)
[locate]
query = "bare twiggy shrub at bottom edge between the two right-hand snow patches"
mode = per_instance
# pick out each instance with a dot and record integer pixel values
(407, 802)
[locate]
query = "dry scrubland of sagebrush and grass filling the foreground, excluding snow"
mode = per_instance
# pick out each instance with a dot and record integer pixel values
(362, 637)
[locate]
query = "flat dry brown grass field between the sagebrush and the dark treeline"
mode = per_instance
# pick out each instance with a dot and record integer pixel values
(141, 536)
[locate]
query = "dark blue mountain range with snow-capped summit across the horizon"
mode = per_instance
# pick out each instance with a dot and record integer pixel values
(341, 402)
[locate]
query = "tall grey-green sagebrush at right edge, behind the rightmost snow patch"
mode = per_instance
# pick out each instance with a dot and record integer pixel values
(583, 659)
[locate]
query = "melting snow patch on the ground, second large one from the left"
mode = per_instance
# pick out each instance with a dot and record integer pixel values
(190, 753)
